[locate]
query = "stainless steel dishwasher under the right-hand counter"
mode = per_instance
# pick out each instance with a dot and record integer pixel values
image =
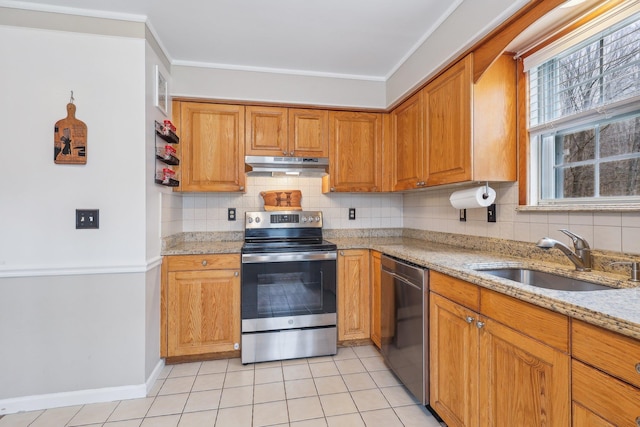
(404, 324)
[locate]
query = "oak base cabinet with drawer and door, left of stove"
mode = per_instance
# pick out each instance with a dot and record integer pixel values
(200, 305)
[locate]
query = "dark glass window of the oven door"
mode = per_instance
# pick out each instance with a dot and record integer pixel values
(282, 289)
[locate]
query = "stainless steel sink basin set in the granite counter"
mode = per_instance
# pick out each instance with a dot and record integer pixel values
(542, 279)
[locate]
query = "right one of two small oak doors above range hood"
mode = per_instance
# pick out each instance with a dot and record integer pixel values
(308, 133)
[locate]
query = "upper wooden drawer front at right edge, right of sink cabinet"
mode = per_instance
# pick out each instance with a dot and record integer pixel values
(613, 353)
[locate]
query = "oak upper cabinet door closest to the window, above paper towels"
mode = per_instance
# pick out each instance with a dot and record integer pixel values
(448, 125)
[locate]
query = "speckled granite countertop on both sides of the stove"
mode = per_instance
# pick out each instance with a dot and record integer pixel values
(617, 310)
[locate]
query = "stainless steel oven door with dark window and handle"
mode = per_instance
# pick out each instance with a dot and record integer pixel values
(288, 290)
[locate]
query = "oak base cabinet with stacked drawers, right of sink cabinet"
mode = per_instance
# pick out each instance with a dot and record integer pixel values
(605, 377)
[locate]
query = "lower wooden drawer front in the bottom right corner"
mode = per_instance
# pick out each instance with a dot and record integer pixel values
(605, 396)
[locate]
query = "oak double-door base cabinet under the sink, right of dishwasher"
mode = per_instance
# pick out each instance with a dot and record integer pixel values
(495, 360)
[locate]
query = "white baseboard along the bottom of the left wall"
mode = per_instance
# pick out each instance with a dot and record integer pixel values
(80, 397)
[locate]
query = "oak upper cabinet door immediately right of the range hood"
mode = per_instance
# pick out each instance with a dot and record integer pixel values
(355, 147)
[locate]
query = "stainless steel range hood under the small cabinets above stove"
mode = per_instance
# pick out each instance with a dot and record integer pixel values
(280, 166)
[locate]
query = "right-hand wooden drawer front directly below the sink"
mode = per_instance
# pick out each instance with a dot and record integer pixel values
(539, 323)
